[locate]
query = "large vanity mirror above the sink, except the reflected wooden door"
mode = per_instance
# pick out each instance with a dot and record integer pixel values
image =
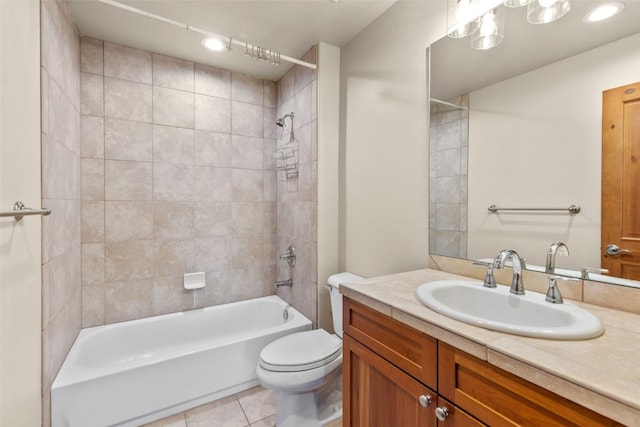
(524, 131)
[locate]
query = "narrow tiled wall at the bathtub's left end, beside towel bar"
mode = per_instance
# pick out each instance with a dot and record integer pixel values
(60, 107)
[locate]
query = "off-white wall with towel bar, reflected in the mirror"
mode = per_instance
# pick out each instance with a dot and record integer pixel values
(535, 141)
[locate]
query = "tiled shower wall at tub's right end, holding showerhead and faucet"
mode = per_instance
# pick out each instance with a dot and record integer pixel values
(297, 198)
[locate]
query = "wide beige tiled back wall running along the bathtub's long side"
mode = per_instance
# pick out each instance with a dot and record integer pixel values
(177, 177)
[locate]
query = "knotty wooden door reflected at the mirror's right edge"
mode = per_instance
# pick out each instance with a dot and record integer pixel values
(621, 181)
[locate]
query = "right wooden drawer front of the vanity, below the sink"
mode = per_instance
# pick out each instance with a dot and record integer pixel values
(497, 397)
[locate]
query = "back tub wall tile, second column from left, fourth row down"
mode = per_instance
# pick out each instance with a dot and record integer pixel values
(127, 180)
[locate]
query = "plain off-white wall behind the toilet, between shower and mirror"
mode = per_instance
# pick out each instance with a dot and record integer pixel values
(384, 140)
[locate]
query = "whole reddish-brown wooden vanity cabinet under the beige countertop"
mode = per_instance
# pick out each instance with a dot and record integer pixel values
(395, 375)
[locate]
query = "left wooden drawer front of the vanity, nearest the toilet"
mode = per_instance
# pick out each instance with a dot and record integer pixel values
(410, 350)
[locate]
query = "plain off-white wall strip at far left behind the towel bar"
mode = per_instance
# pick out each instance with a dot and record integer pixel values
(20, 244)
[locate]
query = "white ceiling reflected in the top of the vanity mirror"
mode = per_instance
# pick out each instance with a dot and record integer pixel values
(458, 69)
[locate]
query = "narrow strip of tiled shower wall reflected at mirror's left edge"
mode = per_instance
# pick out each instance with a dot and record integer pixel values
(448, 142)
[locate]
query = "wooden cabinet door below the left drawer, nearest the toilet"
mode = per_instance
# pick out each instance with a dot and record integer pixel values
(378, 394)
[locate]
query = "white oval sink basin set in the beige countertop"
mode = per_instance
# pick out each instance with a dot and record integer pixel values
(496, 308)
